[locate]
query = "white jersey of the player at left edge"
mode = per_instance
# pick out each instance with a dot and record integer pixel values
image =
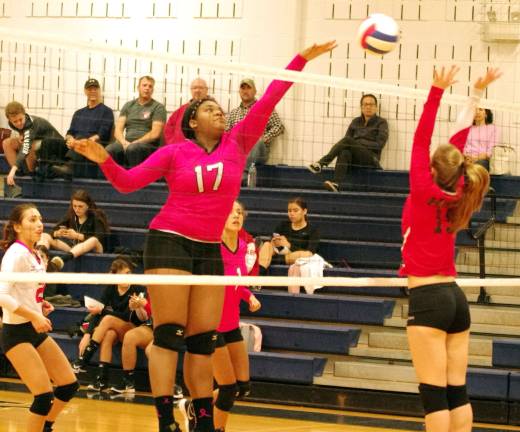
(18, 258)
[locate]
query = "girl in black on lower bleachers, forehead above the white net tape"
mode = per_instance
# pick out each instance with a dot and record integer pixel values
(124, 308)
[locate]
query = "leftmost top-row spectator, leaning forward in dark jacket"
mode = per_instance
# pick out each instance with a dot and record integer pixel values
(33, 133)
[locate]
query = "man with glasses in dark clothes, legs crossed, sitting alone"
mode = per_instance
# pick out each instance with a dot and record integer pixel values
(361, 146)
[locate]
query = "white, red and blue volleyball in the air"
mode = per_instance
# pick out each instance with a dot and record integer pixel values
(378, 34)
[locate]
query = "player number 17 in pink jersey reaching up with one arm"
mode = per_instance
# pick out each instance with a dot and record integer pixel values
(203, 174)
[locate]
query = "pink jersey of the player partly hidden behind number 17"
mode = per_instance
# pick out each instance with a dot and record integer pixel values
(234, 264)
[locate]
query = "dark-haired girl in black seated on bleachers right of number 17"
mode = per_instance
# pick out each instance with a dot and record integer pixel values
(292, 239)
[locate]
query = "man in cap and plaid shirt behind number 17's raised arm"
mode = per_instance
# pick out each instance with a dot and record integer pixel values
(260, 152)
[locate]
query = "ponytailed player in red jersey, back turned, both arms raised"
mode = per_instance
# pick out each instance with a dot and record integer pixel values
(444, 192)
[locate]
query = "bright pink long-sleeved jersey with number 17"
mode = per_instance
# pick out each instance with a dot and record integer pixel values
(202, 185)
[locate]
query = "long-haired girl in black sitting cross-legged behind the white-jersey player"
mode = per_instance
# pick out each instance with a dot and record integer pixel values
(83, 229)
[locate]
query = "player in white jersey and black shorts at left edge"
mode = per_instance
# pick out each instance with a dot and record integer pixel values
(37, 358)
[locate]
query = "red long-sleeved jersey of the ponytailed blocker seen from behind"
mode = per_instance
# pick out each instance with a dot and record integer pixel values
(428, 244)
